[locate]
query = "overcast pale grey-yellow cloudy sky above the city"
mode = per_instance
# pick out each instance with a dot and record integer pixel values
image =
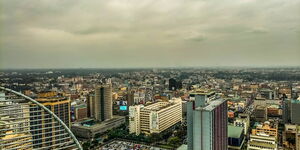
(148, 33)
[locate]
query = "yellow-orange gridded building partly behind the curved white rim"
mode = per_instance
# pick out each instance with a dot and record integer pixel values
(60, 106)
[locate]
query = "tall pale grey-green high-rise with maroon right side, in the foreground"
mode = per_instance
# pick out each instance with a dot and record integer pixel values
(207, 123)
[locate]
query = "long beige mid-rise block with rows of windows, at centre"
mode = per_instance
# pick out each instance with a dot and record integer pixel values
(155, 117)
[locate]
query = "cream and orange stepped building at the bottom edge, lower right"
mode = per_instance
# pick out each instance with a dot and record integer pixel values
(264, 136)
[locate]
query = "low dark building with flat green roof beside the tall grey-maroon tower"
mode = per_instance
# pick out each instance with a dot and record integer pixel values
(236, 137)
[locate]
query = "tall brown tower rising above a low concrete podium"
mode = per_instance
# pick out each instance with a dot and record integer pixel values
(103, 103)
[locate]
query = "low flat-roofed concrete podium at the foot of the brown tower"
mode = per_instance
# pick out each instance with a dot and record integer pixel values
(88, 129)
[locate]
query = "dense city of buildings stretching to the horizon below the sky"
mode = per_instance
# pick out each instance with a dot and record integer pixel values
(188, 108)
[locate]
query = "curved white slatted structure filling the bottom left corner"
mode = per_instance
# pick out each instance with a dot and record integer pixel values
(27, 124)
